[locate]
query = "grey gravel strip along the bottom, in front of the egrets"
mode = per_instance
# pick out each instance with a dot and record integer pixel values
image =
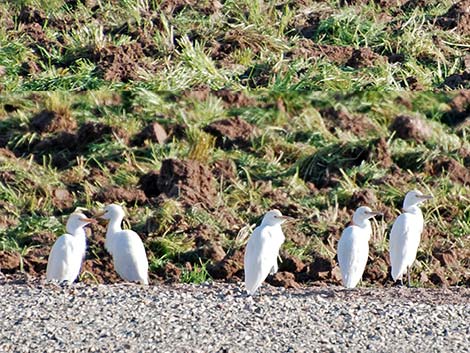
(42, 317)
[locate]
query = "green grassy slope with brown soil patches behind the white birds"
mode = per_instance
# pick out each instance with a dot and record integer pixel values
(252, 48)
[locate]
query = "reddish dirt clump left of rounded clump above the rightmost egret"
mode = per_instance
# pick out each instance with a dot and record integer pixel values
(359, 125)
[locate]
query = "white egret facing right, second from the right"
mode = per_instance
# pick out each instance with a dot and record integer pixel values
(353, 247)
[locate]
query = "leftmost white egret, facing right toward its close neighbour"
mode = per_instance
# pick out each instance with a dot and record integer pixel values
(67, 253)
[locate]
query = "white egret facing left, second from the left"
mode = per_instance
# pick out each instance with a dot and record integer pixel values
(126, 247)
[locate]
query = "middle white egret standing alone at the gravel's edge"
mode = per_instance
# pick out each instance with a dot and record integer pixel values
(262, 250)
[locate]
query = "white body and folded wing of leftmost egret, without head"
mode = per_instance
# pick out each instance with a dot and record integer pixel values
(63, 264)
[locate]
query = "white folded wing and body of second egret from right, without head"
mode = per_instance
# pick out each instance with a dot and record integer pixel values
(353, 251)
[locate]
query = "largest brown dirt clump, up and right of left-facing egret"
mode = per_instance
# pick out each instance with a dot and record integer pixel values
(190, 181)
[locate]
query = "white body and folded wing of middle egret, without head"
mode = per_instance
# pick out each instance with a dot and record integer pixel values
(260, 256)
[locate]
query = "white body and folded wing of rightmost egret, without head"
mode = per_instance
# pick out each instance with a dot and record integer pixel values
(404, 241)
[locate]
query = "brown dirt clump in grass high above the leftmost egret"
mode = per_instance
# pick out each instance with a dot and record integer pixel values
(51, 121)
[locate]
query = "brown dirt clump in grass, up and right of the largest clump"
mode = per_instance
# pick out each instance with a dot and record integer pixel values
(230, 133)
